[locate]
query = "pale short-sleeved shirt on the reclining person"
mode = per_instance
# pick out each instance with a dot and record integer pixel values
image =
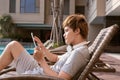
(74, 60)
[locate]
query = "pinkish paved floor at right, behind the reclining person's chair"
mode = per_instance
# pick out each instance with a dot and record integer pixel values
(113, 59)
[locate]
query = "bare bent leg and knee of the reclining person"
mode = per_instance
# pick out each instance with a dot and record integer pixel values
(11, 52)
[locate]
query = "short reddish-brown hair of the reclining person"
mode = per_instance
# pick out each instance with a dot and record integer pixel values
(75, 21)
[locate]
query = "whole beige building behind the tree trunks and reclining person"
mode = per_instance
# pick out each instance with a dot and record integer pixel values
(36, 16)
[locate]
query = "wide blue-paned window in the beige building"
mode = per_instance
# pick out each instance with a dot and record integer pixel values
(30, 6)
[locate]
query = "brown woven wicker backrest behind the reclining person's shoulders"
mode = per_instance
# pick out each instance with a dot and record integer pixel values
(97, 47)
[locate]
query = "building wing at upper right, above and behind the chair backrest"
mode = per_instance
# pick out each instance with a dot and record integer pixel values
(103, 13)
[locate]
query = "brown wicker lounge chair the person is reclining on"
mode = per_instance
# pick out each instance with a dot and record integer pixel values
(96, 50)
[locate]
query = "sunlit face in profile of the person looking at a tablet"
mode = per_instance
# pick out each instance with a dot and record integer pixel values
(69, 35)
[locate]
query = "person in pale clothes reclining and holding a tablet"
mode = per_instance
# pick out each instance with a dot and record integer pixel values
(66, 66)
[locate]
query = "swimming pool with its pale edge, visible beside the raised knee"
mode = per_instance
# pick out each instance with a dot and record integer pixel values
(29, 48)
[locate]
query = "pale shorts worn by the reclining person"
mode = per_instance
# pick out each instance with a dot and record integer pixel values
(26, 64)
